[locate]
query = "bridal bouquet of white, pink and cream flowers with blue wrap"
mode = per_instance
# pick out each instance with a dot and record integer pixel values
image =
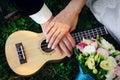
(98, 60)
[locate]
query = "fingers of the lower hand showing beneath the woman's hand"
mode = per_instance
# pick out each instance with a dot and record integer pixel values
(66, 45)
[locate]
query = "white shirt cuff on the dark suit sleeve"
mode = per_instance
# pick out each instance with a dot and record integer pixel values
(42, 16)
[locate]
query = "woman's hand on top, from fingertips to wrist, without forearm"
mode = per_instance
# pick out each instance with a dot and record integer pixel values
(63, 23)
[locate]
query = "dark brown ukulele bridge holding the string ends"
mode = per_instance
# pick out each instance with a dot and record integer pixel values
(21, 53)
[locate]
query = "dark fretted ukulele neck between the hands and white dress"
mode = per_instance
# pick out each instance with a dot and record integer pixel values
(92, 33)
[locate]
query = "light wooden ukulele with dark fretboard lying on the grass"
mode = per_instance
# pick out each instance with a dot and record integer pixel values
(26, 51)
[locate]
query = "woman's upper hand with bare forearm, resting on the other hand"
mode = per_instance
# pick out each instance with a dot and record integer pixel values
(63, 23)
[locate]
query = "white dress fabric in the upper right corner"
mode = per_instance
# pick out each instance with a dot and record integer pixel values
(107, 12)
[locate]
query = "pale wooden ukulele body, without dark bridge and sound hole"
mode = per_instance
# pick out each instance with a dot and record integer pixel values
(35, 56)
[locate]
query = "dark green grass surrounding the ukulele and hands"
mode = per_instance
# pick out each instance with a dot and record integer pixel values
(66, 69)
